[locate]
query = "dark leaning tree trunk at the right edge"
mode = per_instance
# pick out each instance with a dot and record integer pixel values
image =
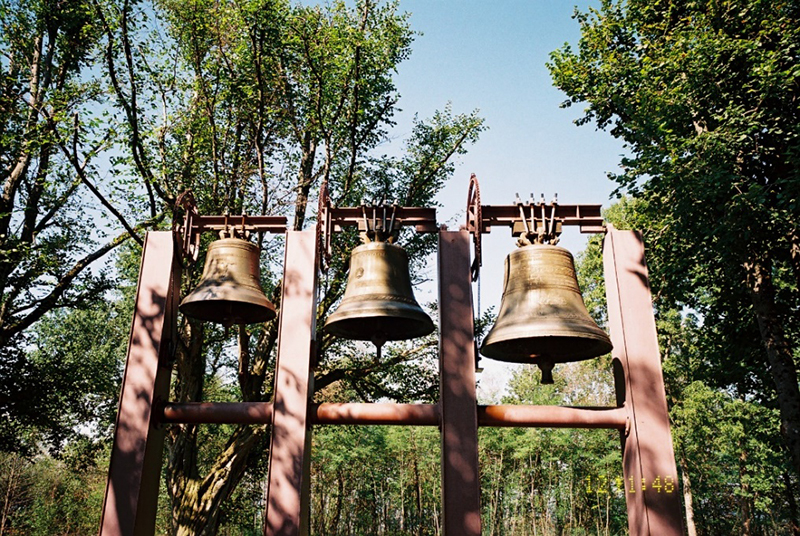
(779, 354)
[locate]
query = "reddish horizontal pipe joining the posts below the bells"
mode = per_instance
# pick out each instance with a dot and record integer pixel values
(400, 414)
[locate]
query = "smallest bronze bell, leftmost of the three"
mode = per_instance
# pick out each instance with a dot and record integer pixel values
(229, 291)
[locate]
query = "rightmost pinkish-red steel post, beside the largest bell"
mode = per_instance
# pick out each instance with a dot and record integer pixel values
(651, 479)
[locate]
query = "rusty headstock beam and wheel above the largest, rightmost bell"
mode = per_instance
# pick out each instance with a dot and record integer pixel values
(533, 222)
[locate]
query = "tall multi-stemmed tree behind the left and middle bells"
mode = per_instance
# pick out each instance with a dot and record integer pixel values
(251, 105)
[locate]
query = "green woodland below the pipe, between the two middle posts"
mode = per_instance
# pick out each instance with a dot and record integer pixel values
(375, 480)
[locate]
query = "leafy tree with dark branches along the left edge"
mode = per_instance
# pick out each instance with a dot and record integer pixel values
(54, 140)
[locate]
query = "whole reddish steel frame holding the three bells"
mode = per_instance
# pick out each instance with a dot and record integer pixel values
(129, 507)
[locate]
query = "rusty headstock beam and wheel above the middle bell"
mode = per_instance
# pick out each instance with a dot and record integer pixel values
(376, 221)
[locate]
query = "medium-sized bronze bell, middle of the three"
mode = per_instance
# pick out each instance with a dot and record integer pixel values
(378, 303)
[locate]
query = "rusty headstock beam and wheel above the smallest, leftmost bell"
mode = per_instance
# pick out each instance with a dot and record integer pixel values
(188, 232)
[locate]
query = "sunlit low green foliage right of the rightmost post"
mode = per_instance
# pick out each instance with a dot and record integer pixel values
(728, 448)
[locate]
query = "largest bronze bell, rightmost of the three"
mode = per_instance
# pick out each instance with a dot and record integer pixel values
(542, 318)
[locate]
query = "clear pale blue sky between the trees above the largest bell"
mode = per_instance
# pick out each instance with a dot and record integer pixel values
(491, 56)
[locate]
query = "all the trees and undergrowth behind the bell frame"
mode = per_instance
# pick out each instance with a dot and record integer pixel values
(110, 109)
